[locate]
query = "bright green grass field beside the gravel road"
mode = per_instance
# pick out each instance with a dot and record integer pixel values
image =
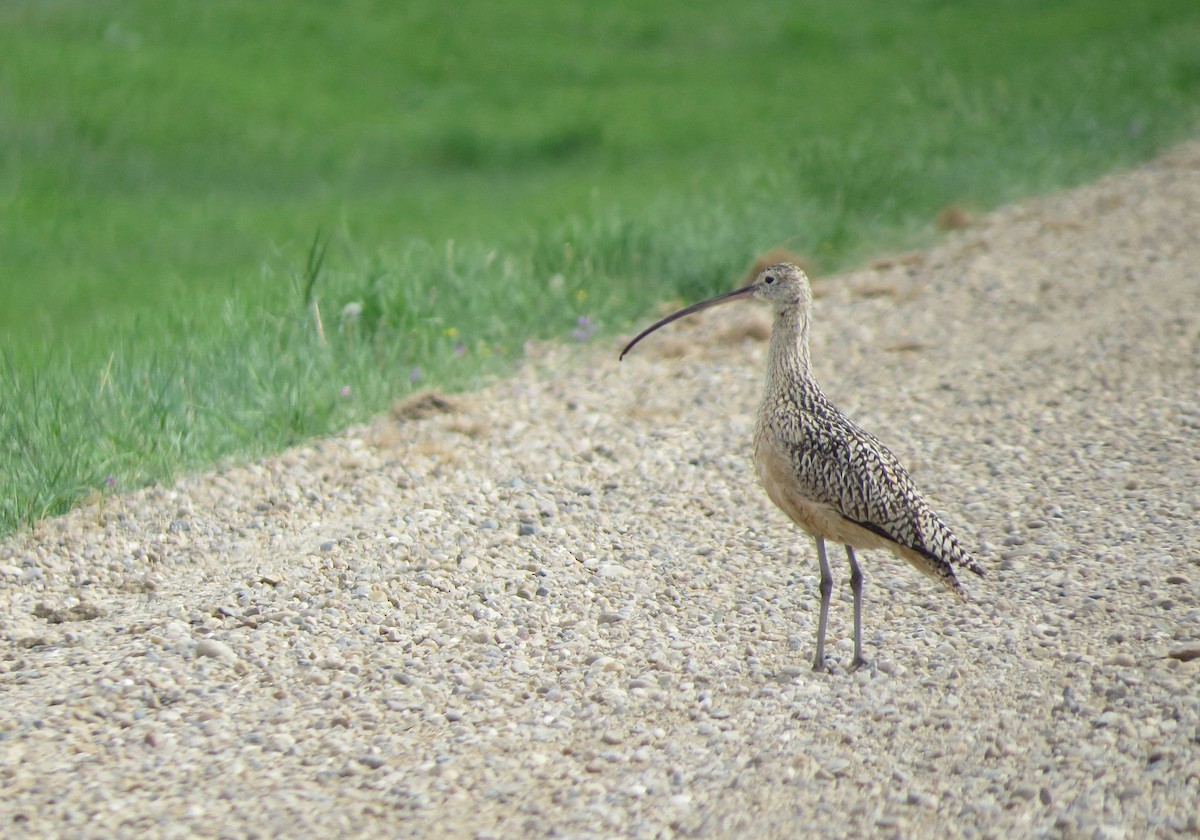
(482, 175)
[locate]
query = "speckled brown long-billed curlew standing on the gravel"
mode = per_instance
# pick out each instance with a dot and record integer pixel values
(833, 479)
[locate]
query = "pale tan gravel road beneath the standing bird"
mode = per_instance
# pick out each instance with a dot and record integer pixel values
(562, 607)
